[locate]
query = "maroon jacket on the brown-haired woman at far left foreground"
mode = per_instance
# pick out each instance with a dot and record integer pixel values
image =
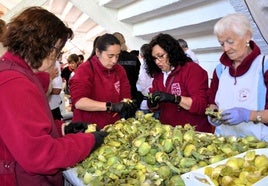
(31, 151)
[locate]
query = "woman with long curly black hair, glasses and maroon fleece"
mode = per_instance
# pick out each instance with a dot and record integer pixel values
(179, 86)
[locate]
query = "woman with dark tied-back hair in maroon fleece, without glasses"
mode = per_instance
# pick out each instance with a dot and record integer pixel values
(100, 85)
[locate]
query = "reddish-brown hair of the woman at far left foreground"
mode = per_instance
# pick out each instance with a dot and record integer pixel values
(33, 34)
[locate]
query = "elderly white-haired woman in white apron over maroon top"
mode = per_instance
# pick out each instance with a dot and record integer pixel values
(239, 85)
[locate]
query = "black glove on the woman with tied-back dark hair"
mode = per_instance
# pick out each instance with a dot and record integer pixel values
(125, 109)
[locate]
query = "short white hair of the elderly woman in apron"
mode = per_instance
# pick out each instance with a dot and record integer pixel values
(238, 23)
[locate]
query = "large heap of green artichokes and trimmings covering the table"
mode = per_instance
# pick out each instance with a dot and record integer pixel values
(143, 151)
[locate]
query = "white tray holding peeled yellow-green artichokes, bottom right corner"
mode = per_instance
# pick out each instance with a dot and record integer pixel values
(194, 178)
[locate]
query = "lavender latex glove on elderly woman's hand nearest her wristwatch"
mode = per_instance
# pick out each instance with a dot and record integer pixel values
(235, 115)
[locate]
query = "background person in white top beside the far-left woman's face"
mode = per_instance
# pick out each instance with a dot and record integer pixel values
(54, 97)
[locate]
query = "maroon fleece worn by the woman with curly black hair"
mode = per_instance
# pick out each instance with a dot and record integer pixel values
(189, 80)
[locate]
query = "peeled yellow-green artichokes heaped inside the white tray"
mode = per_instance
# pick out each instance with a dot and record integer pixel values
(245, 170)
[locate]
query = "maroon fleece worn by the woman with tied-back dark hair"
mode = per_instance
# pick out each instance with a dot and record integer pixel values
(94, 81)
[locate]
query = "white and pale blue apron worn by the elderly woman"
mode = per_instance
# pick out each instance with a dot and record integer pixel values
(248, 92)
